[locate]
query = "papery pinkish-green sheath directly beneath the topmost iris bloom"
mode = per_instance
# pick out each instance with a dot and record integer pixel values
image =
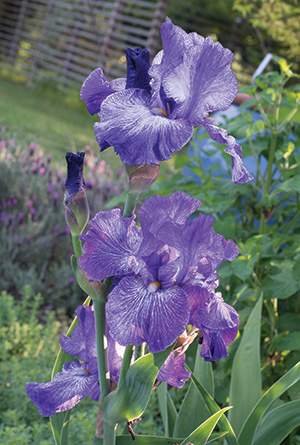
(141, 176)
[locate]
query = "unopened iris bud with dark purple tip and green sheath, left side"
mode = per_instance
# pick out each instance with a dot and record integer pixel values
(76, 205)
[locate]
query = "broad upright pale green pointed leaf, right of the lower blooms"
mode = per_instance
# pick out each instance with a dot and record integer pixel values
(245, 387)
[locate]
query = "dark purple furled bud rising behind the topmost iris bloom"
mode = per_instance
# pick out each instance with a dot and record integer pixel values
(138, 63)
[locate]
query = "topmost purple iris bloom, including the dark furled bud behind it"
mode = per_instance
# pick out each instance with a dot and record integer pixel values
(153, 112)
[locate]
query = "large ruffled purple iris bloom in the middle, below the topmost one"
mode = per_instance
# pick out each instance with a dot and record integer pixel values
(166, 274)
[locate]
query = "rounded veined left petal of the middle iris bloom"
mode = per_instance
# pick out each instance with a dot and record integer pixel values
(111, 246)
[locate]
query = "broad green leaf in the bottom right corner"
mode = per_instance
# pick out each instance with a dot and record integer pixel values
(278, 424)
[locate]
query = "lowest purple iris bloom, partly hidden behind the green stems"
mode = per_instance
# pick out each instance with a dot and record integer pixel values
(79, 379)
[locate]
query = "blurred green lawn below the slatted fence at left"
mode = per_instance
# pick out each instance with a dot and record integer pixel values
(56, 121)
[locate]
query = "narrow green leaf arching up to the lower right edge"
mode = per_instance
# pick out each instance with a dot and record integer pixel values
(276, 390)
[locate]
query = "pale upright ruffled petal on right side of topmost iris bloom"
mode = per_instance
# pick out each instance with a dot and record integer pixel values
(203, 82)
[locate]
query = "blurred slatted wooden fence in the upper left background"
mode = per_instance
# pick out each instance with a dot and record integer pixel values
(70, 38)
